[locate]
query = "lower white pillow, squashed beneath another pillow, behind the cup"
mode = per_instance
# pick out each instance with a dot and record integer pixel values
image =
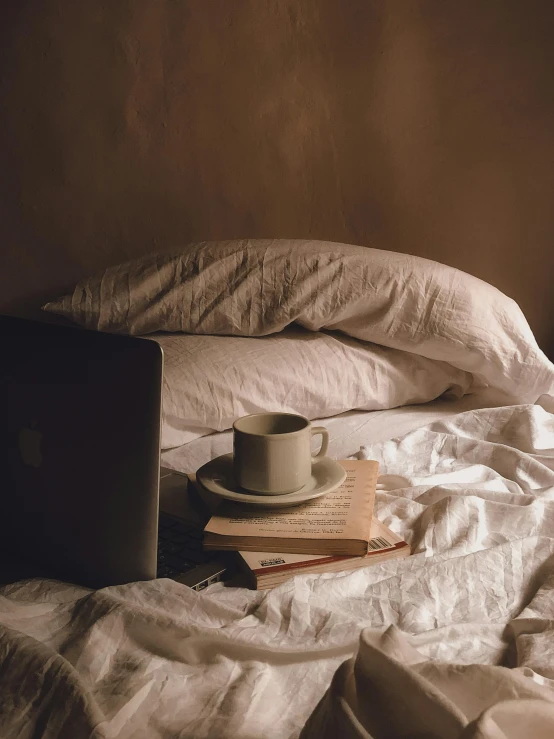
(209, 381)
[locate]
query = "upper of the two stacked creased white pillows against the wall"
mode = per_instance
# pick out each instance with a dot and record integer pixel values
(257, 287)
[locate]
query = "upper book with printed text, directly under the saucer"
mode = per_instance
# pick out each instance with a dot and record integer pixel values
(337, 524)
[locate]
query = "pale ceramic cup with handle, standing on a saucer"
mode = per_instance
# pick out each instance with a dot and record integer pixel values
(272, 452)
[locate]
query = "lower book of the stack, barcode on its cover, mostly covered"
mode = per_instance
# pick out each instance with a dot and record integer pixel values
(265, 570)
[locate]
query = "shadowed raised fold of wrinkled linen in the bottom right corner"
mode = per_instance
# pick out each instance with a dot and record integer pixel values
(390, 690)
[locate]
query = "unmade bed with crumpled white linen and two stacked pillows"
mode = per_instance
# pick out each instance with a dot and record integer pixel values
(428, 370)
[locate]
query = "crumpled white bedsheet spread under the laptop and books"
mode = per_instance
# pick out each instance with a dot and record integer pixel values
(473, 494)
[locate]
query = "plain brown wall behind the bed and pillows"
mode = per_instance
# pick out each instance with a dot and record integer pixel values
(419, 126)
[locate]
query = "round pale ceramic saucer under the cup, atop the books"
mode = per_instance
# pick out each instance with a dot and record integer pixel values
(218, 477)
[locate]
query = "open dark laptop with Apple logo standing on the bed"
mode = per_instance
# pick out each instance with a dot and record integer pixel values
(80, 424)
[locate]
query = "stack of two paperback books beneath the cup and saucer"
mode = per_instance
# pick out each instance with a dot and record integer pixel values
(336, 533)
